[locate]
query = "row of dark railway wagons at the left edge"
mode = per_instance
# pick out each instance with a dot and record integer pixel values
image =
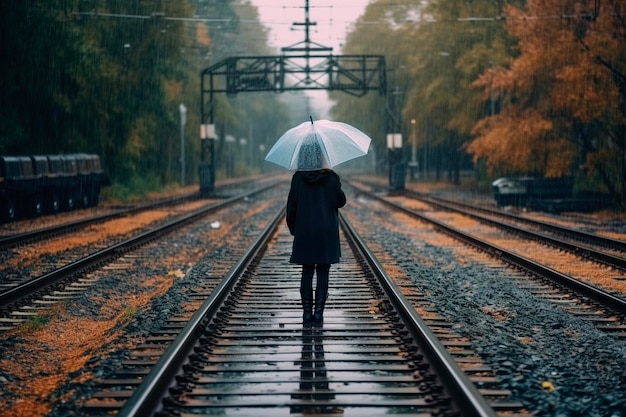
(36, 184)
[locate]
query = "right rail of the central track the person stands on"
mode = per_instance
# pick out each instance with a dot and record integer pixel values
(464, 392)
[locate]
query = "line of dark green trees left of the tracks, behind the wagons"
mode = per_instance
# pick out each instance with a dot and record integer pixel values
(108, 77)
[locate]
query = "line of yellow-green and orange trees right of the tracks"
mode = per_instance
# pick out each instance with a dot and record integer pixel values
(534, 87)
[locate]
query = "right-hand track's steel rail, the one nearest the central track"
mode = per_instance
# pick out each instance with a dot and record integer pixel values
(616, 303)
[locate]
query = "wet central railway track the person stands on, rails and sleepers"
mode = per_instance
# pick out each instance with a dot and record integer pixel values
(247, 352)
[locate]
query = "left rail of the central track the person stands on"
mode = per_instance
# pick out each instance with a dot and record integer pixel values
(146, 399)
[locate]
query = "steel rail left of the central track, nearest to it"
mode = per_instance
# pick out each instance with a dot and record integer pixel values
(38, 287)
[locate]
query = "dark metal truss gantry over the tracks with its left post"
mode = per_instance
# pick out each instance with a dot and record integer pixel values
(303, 66)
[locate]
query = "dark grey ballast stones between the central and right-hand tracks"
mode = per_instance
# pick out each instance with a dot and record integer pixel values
(536, 346)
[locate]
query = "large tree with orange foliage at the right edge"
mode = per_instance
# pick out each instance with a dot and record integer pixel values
(563, 96)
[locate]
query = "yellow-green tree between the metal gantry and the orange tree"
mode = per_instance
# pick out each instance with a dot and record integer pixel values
(458, 40)
